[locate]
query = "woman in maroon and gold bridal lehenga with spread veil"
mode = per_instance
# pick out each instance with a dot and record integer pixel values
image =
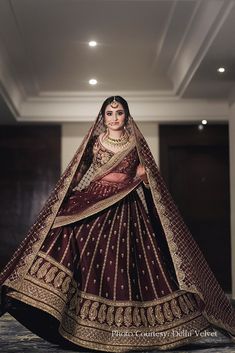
(109, 264)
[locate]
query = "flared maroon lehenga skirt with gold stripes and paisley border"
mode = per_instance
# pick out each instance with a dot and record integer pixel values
(107, 281)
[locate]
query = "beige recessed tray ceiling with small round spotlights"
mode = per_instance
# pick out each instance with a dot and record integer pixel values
(150, 50)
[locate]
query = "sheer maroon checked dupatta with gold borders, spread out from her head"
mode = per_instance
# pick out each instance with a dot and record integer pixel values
(192, 271)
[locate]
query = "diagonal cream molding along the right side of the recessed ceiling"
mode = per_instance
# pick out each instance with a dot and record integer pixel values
(204, 25)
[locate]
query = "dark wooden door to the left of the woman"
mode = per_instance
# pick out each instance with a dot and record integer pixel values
(30, 167)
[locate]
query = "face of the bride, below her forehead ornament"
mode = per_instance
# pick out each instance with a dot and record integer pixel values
(114, 117)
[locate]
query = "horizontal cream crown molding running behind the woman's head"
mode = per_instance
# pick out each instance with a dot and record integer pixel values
(143, 108)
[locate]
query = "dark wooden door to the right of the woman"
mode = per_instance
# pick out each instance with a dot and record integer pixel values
(195, 165)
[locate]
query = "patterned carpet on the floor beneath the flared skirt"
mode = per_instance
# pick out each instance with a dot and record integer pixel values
(15, 338)
